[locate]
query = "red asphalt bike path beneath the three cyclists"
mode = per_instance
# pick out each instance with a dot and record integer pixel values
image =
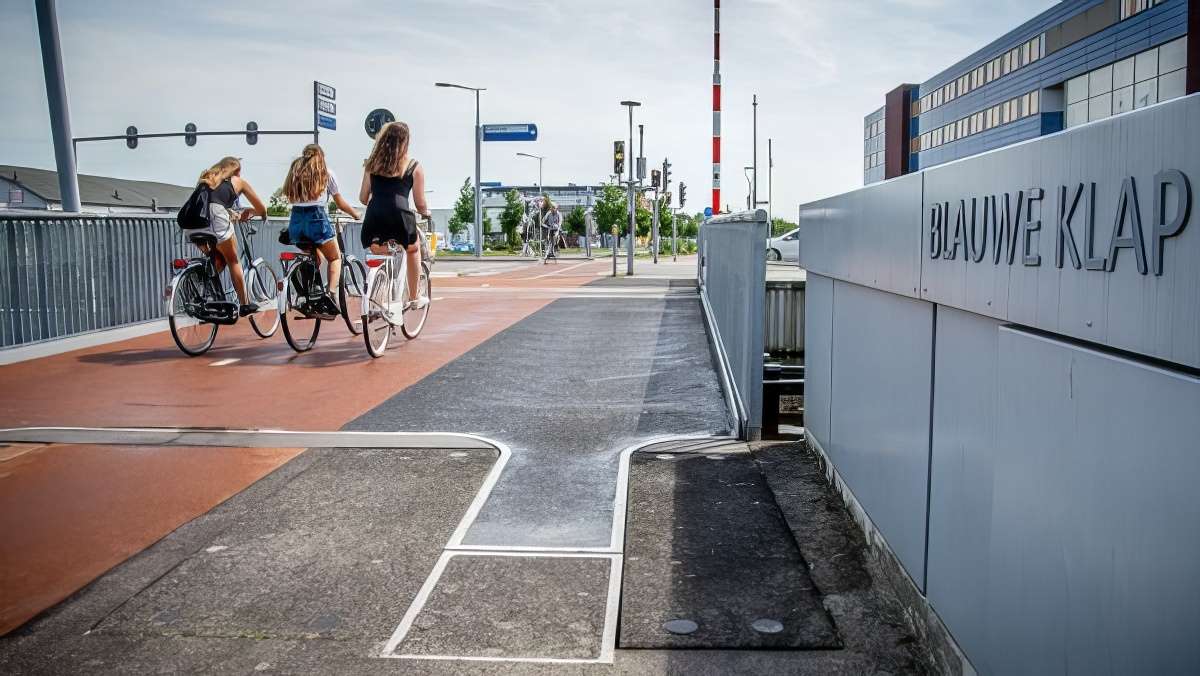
(70, 513)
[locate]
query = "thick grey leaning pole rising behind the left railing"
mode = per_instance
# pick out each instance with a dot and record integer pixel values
(57, 98)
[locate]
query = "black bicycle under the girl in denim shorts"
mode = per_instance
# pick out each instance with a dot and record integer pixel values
(303, 288)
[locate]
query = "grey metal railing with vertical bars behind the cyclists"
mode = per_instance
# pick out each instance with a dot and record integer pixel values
(71, 274)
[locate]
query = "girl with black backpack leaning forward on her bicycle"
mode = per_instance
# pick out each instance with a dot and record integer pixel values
(227, 186)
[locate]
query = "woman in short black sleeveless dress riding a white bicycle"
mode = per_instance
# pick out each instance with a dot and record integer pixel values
(389, 177)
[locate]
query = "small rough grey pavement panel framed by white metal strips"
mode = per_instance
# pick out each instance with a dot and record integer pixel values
(514, 608)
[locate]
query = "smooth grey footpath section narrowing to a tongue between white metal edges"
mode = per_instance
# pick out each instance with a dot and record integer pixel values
(567, 390)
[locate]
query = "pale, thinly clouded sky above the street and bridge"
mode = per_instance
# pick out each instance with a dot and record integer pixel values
(818, 69)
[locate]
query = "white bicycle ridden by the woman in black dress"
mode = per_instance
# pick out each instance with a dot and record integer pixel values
(388, 292)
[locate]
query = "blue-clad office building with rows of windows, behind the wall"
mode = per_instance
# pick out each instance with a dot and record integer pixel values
(1079, 62)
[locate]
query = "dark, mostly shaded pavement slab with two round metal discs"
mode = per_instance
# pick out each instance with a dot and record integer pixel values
(706, 543)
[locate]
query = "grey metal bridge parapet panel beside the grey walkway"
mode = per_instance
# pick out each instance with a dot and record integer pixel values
(733, 273)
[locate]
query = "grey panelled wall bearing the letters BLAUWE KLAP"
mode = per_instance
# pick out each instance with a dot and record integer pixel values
(1034, 474)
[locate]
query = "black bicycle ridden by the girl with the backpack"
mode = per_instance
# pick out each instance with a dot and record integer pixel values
(199, 303)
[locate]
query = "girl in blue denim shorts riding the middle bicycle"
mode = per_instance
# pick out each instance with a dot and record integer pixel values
(309, 186)
